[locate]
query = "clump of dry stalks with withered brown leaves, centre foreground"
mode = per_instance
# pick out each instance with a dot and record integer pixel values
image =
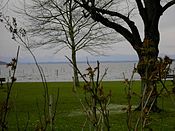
(95, 103)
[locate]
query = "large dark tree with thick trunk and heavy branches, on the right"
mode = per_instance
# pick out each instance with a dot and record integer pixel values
(147, 50)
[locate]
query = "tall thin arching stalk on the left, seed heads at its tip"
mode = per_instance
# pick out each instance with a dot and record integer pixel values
(20, 36)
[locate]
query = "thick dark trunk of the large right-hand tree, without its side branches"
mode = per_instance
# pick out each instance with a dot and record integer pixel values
(148, 54)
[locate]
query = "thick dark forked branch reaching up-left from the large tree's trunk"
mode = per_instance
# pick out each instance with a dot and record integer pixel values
(96, 14)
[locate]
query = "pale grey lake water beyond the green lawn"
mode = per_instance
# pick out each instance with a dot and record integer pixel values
(63, 71)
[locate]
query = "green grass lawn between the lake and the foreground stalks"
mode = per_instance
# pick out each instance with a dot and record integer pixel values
(25, 97)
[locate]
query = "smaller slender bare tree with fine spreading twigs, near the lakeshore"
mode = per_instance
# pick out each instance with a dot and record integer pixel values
(59, 25)
